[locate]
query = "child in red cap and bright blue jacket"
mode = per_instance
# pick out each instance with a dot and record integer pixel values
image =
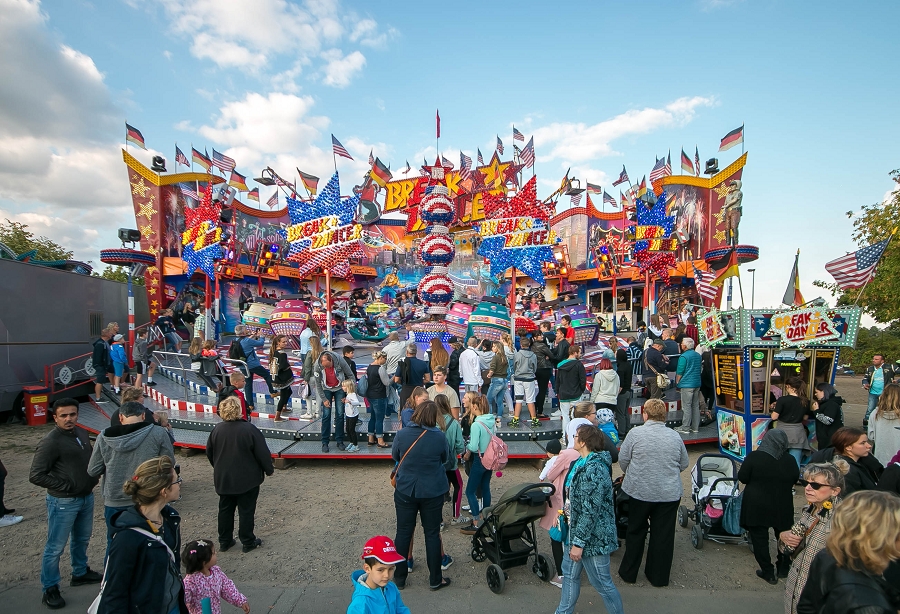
(373, 590)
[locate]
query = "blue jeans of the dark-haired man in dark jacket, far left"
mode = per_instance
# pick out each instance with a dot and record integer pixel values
(67, 516)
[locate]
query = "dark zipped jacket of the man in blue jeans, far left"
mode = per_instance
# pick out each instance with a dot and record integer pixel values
(60, 463)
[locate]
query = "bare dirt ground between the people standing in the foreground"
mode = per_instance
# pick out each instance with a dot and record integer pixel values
(313, 519)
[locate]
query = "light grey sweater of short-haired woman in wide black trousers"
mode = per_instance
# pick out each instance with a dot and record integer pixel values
(653, 457)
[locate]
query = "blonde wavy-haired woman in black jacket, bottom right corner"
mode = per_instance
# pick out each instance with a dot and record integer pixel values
(846, 577)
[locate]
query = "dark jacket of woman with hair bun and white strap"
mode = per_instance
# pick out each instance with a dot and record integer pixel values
(138, 566)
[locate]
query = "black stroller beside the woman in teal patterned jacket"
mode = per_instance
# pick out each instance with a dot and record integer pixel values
(507, 536)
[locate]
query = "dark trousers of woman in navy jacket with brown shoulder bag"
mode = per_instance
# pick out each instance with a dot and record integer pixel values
(407, 509)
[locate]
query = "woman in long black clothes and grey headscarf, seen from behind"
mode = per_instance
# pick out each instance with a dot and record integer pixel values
(769, 474)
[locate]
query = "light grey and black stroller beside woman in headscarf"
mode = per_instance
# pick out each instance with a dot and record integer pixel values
(713, 482)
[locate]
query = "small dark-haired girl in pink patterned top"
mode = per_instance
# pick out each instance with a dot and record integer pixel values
(205, 580)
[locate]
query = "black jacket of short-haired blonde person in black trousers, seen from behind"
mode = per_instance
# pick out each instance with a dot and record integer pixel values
(239, 455)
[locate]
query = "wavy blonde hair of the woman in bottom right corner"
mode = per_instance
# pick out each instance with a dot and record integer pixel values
(864, 531)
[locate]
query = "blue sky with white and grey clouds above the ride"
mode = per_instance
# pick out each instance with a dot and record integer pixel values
(597, 84)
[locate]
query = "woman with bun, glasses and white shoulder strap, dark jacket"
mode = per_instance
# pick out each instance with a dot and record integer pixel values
(143, 570)
